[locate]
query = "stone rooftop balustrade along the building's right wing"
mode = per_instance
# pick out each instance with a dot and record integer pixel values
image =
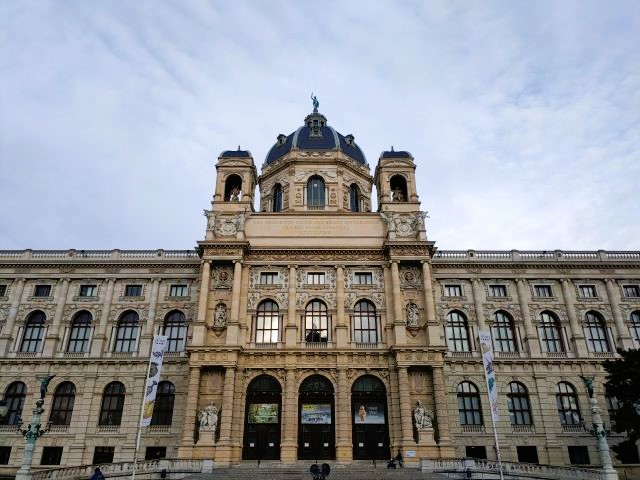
(534, 256)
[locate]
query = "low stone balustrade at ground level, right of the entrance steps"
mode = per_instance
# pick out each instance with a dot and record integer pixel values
(510, 469)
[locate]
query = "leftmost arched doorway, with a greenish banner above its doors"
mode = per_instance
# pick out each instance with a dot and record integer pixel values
(262, 420)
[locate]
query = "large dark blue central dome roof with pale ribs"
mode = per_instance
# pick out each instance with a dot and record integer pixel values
(315, 136)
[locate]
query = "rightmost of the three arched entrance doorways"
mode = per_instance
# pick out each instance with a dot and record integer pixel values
(369, 419)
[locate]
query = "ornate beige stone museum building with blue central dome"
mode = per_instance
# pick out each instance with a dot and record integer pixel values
(313, 328)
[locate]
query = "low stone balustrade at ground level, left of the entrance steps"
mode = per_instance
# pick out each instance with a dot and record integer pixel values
(122, 469)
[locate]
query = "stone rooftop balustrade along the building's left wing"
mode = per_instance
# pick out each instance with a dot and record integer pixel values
(98, 254)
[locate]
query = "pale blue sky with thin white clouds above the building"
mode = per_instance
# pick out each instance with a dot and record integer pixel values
(523, 117)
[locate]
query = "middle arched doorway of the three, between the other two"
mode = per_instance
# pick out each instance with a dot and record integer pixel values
(316, 413)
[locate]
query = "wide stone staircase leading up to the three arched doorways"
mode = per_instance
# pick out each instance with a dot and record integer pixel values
(300, 471)
